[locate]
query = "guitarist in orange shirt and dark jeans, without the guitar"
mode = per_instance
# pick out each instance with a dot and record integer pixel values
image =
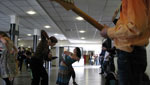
(131, 35)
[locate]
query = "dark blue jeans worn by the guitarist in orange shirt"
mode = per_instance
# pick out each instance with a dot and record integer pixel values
(131, 66)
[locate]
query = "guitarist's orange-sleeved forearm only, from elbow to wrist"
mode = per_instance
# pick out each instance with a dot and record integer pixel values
(124, 31)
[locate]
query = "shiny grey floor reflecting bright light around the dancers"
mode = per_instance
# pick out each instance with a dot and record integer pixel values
(85, 75)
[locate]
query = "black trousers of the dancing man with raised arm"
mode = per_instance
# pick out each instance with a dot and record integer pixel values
(38, 73)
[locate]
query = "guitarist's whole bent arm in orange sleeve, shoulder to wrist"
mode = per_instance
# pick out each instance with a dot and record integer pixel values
(132, 22)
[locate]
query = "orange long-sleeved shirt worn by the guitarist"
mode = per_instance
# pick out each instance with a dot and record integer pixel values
(133, 27)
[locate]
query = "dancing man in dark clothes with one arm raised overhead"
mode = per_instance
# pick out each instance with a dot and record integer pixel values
(37, 60)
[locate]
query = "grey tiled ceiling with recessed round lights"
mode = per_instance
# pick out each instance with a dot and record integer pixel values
(62, 22)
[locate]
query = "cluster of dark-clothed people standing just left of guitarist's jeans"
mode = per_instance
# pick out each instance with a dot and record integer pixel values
(107, 59)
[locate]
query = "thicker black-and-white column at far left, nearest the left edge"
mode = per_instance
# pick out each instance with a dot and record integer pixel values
(14, 29)
